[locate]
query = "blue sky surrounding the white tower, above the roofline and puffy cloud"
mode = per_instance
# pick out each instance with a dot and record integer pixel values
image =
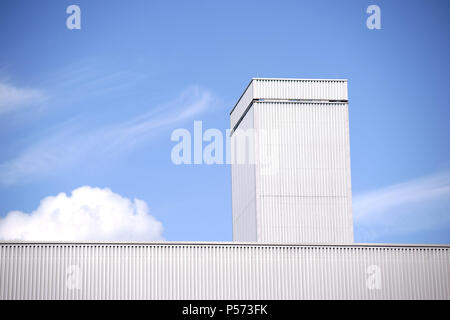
(96, 106)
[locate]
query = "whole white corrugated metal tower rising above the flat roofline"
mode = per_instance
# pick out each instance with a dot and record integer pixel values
(291, 162)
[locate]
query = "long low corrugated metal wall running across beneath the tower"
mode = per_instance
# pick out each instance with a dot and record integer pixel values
(222, 271)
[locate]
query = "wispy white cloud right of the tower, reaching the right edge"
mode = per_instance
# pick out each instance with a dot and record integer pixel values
(412, 207)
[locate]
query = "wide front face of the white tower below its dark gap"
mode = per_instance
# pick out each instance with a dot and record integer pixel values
(306, 196)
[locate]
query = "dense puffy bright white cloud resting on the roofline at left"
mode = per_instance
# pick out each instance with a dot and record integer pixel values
(87, 214)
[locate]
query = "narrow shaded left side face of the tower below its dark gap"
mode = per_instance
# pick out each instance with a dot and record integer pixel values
(243, 183)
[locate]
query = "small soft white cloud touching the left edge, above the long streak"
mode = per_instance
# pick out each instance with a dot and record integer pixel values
(12, 98)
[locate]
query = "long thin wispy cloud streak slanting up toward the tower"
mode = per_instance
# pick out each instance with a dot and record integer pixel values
(72, 144)
